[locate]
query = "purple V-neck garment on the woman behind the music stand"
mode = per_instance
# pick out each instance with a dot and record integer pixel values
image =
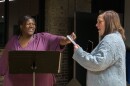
(38, 42)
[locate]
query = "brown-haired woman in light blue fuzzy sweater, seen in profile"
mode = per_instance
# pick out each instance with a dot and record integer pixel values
(106, 63)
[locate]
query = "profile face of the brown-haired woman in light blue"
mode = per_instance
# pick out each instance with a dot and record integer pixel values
(100, 25)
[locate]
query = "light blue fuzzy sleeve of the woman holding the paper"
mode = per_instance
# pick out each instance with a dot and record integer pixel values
(102, 58)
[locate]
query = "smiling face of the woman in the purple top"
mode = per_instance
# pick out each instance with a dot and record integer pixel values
(28, 28)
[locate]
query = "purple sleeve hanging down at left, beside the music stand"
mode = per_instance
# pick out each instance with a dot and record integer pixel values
(4, 58)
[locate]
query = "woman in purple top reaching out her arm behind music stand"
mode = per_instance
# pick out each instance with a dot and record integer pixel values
(27, 40)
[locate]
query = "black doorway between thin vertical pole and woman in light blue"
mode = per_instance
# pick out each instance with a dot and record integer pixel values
(87, 38)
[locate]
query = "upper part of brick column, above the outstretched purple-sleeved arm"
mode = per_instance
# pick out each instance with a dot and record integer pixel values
(56, 16)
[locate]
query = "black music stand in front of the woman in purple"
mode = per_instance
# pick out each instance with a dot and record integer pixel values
(27, 62)
